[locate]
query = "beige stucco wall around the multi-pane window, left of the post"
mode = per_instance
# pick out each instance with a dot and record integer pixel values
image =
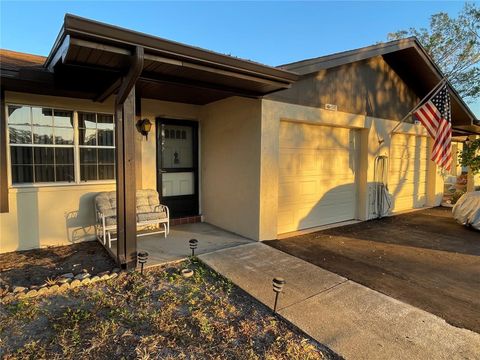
(41, 216)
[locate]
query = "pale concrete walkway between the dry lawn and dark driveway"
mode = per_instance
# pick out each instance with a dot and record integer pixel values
(353, 320)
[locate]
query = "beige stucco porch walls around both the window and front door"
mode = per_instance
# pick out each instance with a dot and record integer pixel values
(41, 216)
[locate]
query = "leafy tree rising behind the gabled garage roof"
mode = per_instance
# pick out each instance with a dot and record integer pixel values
(454, 44)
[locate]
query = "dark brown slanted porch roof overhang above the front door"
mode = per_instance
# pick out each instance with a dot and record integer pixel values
(86, 49)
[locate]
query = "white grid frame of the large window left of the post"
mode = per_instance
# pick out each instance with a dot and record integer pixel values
(76, 150)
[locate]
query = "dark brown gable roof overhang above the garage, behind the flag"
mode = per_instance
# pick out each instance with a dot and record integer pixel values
(410, 61)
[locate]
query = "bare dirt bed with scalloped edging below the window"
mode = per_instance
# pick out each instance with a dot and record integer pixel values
(33, 267)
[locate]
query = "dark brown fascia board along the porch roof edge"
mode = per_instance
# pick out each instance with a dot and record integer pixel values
(78, 26)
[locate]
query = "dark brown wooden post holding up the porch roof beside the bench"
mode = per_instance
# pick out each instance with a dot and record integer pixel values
(125, 161)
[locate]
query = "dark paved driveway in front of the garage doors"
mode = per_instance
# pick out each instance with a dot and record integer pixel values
(423, 258)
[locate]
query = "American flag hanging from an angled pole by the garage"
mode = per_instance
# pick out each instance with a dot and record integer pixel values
(436, 116)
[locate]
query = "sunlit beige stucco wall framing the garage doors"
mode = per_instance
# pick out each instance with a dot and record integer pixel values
(371, 131)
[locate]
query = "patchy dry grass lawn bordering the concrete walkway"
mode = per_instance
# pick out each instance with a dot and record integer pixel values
(159, 315)
